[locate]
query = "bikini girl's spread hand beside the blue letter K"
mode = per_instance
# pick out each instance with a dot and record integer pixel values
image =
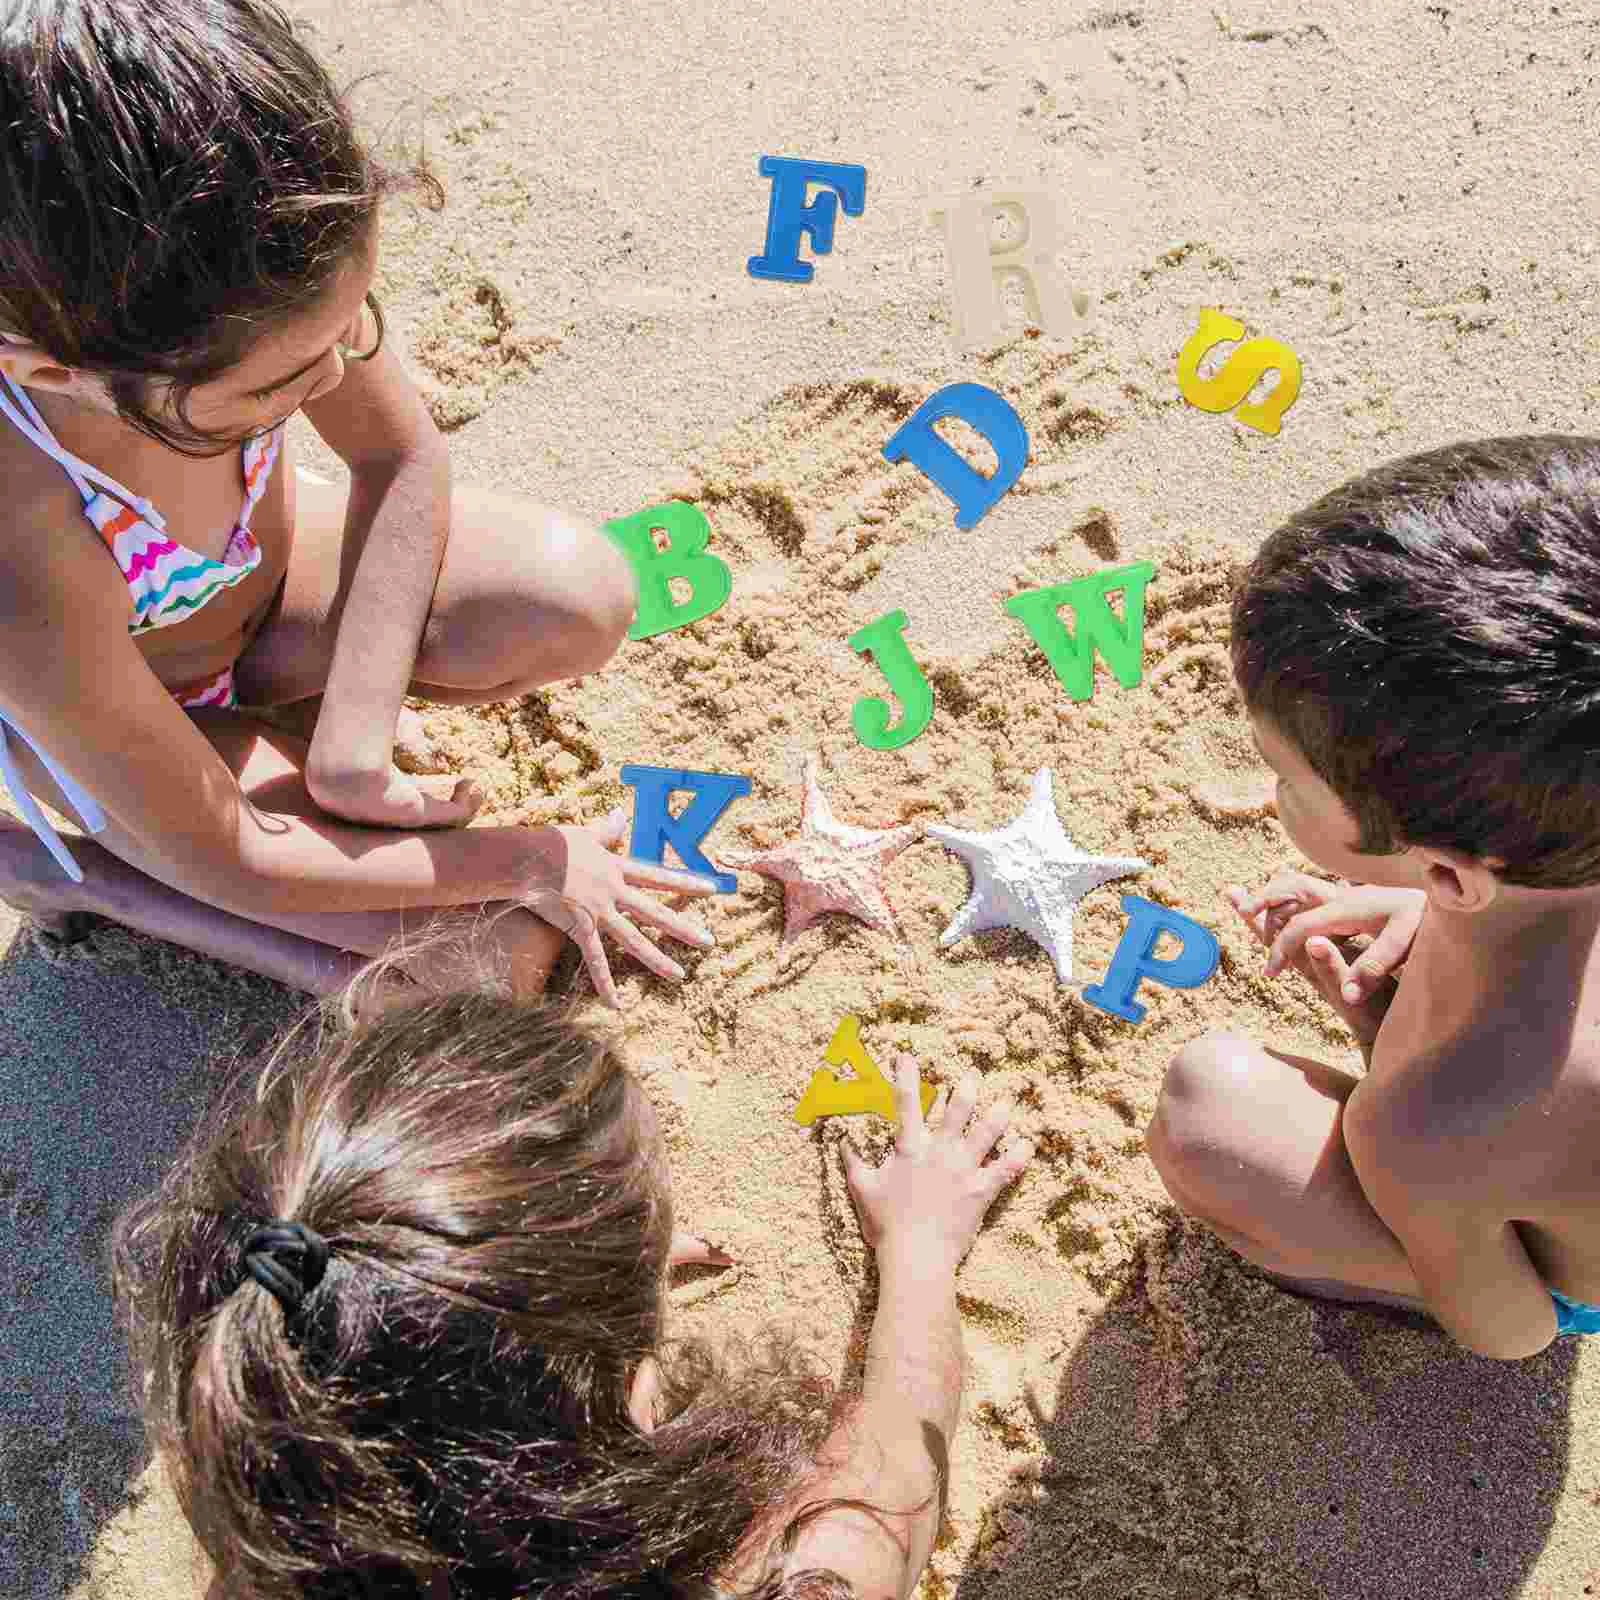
(598, 887)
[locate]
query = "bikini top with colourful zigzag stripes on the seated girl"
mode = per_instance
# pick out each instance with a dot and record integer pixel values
(167, 582)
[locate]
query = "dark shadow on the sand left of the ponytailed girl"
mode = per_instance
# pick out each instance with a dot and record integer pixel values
(105, 1066)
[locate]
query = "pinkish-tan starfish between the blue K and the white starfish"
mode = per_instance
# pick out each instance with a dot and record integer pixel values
(831, 866)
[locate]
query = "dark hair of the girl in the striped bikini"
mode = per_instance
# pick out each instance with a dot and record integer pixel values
(177, 178)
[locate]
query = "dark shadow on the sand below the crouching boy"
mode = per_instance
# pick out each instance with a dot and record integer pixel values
(1215, 1438)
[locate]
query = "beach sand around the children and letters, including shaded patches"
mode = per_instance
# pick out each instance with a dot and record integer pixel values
(1399, 194)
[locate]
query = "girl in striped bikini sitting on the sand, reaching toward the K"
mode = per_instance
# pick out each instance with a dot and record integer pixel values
(190, 238)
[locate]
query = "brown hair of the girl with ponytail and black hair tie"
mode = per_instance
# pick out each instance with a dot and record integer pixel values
(450, 1401)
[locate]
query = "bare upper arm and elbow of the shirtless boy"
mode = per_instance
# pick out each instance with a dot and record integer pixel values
(1470, 1262)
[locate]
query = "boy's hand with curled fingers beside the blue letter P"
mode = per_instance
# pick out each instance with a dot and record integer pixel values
(1308, 924)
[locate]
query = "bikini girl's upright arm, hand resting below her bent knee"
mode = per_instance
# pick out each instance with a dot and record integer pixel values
(399, 519)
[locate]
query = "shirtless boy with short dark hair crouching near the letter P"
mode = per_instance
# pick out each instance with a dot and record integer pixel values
(1420, 658)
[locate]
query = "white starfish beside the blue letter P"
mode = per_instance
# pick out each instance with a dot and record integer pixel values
(1030, 876)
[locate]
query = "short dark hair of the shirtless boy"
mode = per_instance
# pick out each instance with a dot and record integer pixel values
(1428, 636)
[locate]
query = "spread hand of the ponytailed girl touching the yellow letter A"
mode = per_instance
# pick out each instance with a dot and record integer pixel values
(926, 1204)
